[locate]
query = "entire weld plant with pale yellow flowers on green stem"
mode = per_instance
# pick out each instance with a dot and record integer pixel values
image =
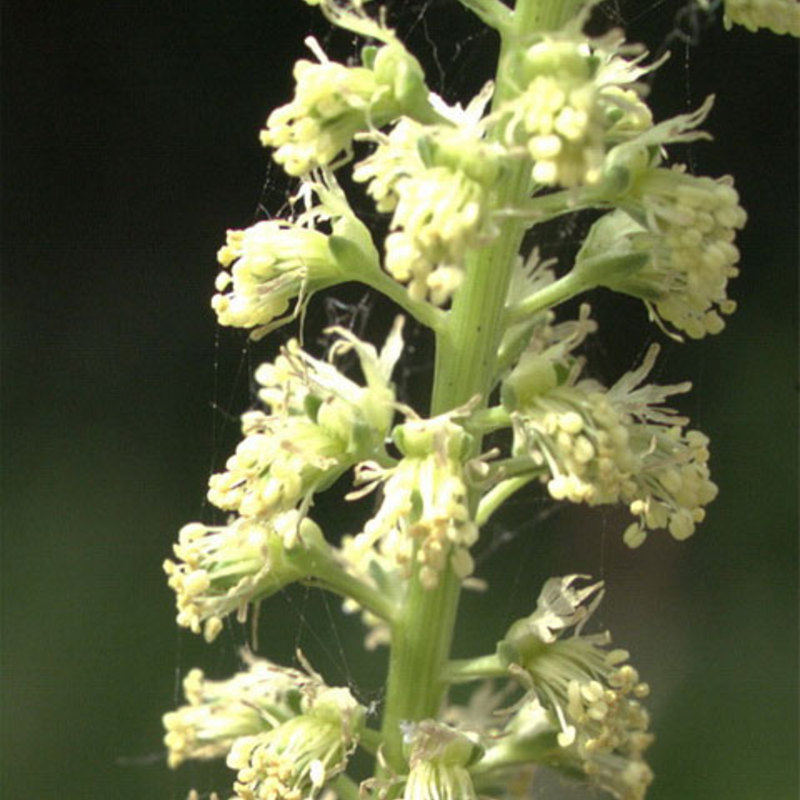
(563, 127)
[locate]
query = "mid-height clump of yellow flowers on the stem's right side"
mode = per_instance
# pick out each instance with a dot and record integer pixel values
(600, 446)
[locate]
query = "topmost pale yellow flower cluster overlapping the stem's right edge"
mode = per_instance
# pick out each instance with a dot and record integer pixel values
(572, 104)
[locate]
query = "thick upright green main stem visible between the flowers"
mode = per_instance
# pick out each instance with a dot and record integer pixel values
(466, 365)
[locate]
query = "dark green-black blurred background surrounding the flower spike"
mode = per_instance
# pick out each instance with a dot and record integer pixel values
(130, 144)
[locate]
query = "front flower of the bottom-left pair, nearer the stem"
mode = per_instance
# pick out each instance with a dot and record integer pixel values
(297, 758)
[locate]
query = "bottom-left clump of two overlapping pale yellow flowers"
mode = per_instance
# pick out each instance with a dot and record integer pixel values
(284, 731)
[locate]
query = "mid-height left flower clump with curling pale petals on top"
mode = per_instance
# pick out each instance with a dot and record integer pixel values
(319, 424)
